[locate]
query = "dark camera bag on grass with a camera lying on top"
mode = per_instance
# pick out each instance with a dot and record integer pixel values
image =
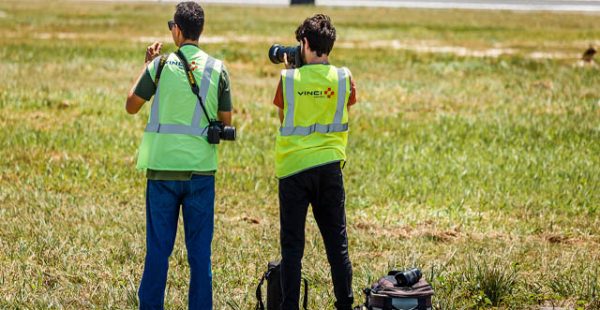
(386, 295)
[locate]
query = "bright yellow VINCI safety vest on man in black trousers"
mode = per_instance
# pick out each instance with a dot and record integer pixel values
(315, 124)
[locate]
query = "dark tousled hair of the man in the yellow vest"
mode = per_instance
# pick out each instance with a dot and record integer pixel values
(319, 32)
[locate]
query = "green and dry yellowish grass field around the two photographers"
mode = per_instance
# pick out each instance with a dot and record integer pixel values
(483, 171)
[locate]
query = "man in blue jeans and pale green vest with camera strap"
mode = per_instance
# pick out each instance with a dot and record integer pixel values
(179, 161)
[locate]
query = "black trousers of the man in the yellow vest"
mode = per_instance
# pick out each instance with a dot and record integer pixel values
(323, 188)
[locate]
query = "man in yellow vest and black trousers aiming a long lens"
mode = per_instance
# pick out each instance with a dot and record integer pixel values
(313, 103)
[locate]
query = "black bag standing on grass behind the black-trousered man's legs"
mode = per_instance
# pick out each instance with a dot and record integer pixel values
(274, 296)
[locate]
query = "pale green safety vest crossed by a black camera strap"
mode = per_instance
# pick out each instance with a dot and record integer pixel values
(175, 138)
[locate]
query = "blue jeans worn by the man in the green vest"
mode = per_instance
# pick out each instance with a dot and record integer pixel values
(163, 200)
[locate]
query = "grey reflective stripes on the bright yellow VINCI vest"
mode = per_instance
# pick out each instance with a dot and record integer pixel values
(289, 129)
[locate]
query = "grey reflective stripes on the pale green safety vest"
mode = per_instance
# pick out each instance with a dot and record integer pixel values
(194, 129)
